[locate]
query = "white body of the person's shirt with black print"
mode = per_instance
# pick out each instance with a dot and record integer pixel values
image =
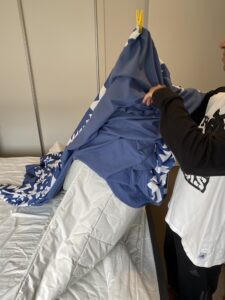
(197, 207)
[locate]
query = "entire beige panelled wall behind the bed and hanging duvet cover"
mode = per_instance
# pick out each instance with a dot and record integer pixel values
(74, 44)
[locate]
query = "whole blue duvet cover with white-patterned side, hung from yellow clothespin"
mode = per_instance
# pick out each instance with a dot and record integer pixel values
(117, 115)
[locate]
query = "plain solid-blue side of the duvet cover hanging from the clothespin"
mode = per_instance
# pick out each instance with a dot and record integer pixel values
(121, 142)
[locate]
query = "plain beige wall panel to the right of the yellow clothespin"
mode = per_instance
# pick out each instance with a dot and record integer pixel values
(187, 35)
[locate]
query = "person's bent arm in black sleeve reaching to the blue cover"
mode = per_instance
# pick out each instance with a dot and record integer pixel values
(197, 153)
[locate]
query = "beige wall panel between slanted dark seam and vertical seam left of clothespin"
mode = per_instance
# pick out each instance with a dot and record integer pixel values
(62, 43)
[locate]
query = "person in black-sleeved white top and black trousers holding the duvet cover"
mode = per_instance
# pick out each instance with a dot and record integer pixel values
(195, 236)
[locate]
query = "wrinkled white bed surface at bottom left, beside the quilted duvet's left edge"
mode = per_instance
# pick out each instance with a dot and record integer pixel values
(21, 230)
